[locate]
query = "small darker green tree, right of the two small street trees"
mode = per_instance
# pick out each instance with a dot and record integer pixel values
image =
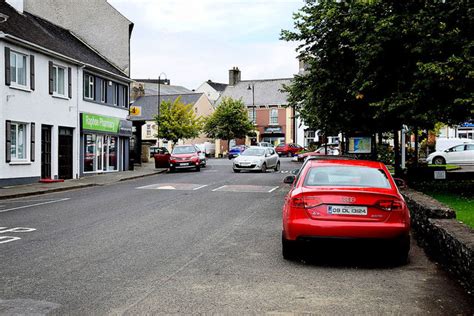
(229, 121)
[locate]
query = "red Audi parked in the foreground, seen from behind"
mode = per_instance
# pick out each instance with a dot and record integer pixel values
(345, 199)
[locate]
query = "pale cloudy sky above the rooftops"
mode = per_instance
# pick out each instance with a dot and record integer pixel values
(191, 41)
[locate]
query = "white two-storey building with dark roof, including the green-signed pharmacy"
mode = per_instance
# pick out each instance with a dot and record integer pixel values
(63, 107)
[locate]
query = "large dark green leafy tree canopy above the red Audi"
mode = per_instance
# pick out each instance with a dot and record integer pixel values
(375, 65)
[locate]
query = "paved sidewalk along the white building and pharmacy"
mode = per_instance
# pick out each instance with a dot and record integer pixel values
(147, 169)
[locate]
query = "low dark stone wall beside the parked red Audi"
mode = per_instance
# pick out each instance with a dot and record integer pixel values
(444, 239)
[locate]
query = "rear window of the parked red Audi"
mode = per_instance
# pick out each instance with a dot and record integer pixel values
(347, 176)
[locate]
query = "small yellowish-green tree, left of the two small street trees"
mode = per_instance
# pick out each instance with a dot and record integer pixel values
(177, 121)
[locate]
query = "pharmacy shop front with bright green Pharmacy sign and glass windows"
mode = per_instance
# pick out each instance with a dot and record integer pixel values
(105, 143)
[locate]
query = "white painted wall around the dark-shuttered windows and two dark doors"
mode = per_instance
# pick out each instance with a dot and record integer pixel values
(36, 106)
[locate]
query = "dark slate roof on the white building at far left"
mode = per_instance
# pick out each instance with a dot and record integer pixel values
(38, 31)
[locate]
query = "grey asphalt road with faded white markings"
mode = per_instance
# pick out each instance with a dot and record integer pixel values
(188, 243)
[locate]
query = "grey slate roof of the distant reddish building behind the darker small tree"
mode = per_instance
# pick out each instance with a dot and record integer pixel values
(267, 92)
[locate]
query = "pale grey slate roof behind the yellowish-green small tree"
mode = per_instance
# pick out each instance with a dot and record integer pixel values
(149, 104)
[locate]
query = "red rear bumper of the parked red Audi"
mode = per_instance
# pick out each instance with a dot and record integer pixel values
(308, 228)
